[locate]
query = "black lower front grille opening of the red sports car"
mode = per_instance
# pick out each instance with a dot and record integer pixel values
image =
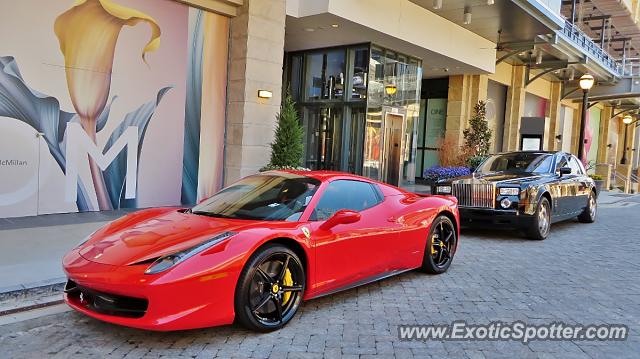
(106, 303)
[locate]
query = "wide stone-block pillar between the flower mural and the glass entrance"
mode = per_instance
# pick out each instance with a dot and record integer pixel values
(255, 63)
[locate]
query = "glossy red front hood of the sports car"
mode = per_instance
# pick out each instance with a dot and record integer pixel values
(152, 233)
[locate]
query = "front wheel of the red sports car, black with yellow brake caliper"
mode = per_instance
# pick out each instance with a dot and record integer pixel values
(270, 289)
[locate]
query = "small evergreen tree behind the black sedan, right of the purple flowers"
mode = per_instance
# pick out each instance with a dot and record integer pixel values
(477, 137)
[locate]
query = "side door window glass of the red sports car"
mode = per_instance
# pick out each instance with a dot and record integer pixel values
(345, 194)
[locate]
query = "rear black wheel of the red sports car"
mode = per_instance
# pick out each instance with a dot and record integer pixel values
(441, 246)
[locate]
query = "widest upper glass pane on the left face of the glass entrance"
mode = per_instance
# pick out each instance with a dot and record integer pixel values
(325, 75)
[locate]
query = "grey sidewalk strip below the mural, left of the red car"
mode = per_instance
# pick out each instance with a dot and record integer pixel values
(31, 248)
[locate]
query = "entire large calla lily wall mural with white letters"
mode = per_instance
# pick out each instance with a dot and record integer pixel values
(149, 80)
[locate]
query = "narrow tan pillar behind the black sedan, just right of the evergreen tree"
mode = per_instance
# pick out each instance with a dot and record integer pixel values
(514, 109)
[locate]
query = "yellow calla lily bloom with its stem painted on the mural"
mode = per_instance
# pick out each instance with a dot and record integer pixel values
(88, 33)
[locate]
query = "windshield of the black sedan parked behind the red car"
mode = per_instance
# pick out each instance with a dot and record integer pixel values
(530, 162)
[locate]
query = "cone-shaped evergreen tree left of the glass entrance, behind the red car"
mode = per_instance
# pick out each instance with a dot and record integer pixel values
(287, 148)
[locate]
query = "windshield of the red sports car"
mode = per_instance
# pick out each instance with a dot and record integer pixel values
(268, 197)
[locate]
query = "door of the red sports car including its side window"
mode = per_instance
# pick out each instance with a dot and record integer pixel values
(354, 252)
